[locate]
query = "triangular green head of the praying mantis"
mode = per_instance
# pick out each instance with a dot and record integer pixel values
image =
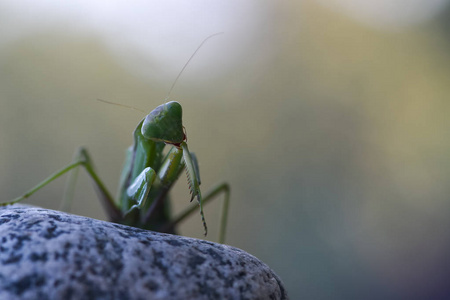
(164, 124)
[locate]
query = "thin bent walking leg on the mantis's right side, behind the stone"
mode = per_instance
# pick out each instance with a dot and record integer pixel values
(222, 188)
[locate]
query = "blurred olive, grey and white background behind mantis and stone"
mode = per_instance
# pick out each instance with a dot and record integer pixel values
(329, 119)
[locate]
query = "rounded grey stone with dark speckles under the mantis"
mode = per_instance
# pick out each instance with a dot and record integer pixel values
(46, 254)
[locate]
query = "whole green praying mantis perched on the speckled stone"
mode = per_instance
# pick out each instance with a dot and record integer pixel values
(148, 174)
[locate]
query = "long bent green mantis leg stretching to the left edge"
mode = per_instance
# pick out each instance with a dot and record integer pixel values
(82, 159)
